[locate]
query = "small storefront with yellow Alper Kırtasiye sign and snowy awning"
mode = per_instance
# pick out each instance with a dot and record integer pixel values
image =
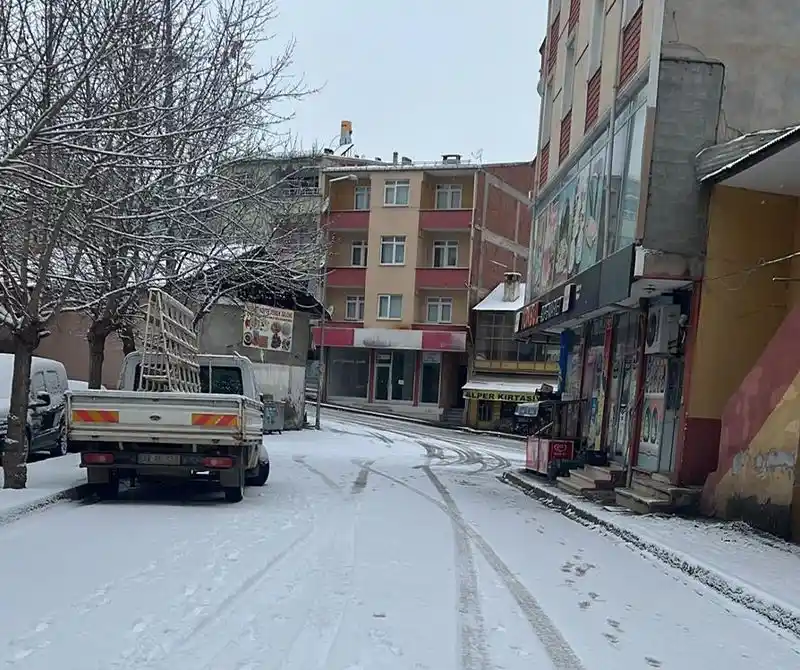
(492, 400)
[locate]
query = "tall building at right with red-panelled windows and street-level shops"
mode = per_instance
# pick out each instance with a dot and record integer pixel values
(631, 91)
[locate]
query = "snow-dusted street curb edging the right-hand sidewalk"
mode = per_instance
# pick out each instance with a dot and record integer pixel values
(781, 615)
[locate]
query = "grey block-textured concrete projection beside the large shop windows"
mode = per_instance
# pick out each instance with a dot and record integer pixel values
(685, 122)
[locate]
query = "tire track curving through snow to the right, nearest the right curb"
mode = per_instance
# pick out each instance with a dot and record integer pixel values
(555, 645)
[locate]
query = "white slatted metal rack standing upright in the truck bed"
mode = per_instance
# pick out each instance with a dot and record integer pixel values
(170, 347)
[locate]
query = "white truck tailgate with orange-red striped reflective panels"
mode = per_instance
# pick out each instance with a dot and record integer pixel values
(136, 416)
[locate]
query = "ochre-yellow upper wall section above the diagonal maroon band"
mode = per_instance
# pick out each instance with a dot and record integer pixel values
(741, 307)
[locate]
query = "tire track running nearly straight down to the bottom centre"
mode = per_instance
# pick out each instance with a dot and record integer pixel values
(472, 631)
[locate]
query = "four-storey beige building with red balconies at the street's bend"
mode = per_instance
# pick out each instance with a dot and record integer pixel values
(413, 246)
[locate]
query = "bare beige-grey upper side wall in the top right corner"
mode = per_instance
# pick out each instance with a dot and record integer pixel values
(758, 45)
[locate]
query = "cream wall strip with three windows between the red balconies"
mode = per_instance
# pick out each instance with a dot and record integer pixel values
(383, 221)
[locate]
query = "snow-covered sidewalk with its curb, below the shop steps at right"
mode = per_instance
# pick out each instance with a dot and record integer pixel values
(749, 568)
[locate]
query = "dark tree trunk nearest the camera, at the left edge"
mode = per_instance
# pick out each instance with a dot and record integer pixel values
(15, 454)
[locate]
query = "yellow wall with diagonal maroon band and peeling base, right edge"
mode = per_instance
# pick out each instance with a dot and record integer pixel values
(746, 371)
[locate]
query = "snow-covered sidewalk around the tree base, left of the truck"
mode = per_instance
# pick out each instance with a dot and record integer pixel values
(49, 481)
